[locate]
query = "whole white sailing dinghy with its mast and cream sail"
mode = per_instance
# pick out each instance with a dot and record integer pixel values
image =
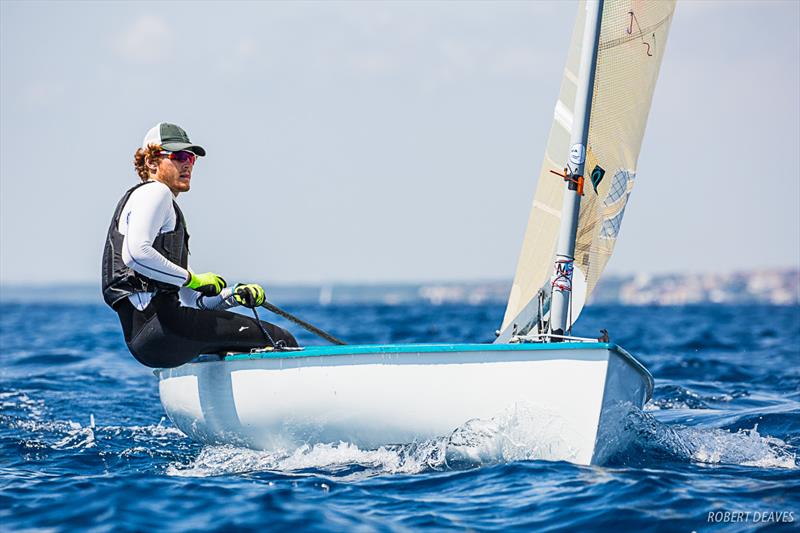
(375, 395)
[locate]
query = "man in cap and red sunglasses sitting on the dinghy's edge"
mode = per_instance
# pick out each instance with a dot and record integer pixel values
(170, 314)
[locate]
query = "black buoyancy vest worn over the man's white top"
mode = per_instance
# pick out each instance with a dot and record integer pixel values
(119, 280)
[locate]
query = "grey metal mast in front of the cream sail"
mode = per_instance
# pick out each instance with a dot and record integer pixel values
(565, 251)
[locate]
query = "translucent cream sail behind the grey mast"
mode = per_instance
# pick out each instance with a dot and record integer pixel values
(633, 35)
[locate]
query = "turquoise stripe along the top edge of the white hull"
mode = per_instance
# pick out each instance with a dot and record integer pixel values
(359, 349)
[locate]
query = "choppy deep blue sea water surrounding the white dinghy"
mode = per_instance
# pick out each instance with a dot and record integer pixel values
(84, 443)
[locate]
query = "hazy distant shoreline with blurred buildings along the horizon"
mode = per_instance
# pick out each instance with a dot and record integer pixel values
(780, 286)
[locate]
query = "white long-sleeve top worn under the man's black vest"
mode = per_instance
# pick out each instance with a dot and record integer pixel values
(148, 213)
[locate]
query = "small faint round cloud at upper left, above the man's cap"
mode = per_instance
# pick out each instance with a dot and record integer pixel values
(145, 41)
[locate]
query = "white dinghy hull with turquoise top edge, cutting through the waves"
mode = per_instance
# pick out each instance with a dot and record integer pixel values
(378, 395)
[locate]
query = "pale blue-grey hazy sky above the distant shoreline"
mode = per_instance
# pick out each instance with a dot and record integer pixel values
(382, 141)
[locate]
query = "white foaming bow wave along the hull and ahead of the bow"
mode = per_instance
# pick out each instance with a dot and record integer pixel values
(521, 434)
